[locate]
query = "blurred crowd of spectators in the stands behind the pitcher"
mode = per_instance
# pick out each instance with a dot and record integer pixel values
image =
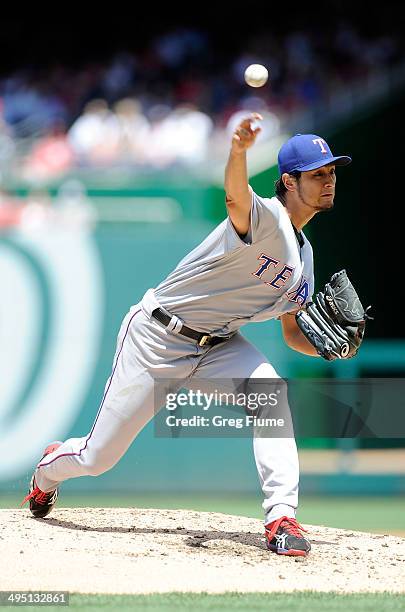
(171, 102)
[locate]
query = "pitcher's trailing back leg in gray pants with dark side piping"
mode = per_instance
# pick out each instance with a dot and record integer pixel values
(127, 406)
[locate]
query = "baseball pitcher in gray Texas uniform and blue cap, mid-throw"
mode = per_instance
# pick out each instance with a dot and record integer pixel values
(254, 266)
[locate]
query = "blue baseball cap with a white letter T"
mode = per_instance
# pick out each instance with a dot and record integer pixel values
(307, 152)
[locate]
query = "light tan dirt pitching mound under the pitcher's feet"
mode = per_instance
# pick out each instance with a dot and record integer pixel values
(124, 550)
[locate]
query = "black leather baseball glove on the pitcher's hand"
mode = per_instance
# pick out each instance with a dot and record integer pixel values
(335, 321)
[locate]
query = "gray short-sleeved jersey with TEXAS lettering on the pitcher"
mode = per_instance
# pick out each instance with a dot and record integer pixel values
(226, 282)
